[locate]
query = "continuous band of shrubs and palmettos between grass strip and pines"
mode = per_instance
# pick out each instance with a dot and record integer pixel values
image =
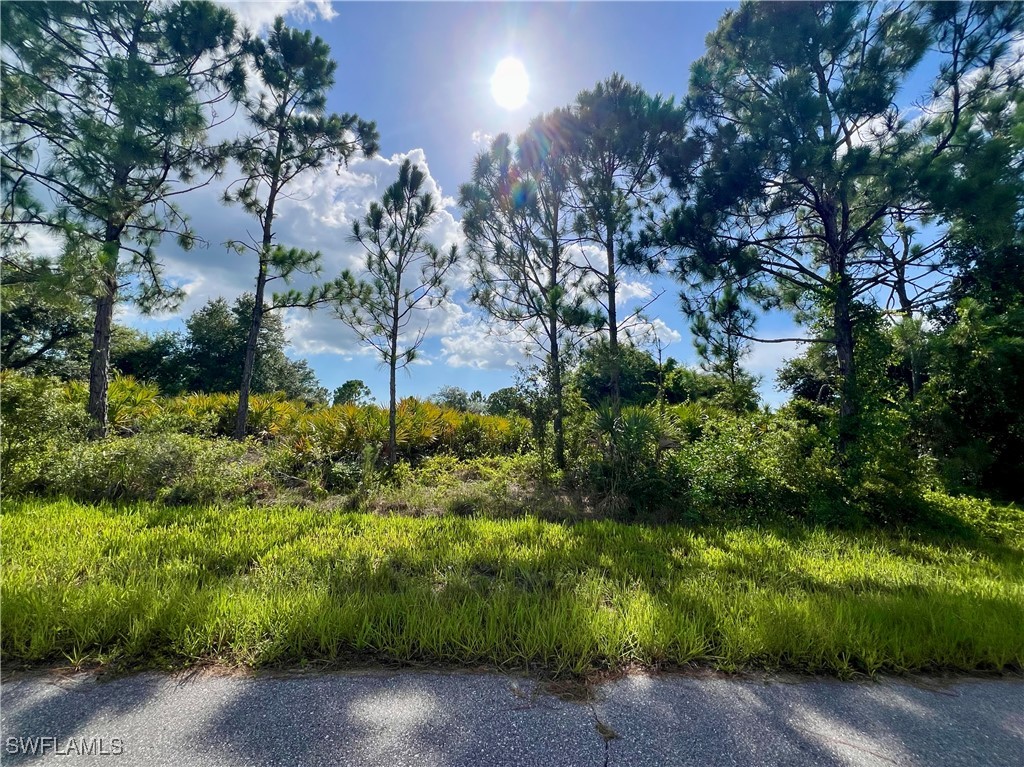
(692, 459)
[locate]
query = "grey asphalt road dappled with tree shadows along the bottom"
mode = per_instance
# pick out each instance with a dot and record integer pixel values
(425, 719)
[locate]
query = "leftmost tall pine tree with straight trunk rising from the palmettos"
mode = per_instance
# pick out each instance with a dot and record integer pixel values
(106, 110)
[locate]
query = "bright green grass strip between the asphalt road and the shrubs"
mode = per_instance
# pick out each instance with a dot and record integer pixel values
(150, 585)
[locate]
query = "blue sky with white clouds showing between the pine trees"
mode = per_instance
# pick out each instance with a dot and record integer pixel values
(422, 72)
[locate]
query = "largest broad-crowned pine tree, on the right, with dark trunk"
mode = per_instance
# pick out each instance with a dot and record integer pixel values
(785, 200)
